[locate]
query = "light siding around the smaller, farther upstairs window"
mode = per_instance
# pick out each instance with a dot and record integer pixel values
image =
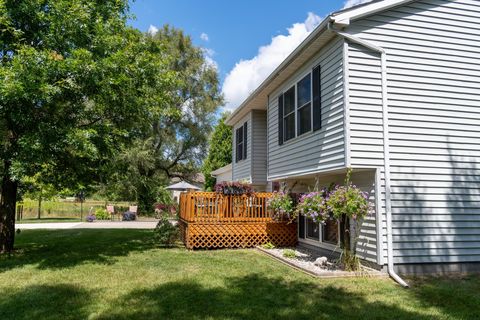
(242, 170)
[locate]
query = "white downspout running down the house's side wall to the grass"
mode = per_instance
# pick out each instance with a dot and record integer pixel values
(388, 204)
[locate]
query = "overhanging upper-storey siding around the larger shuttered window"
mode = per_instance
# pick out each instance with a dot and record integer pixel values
(314, 151)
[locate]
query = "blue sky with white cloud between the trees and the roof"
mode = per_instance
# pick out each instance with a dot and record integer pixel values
(245, 39)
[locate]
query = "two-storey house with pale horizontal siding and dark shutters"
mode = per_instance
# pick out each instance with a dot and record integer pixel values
(391, 89)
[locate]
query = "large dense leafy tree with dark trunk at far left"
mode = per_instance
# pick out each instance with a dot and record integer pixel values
(76, 84)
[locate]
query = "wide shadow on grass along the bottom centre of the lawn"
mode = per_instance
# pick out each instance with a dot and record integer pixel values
(253, 297)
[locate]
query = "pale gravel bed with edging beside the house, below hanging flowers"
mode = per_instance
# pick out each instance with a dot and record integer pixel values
(304, 260)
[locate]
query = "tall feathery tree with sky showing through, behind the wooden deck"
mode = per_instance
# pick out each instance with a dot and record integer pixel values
(174, 146)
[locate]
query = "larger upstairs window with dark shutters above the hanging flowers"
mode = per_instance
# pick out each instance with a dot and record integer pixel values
(299, 108)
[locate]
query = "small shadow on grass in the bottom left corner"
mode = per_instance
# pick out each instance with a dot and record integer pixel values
(45, 302)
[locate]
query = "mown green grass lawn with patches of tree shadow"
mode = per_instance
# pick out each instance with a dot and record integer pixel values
(121, 274)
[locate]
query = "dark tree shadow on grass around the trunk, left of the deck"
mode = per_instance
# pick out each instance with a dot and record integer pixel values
(55, 249)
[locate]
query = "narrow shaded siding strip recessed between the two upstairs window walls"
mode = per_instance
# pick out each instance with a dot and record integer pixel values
(259, 147)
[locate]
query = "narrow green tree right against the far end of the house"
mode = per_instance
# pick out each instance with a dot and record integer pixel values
(219, 152)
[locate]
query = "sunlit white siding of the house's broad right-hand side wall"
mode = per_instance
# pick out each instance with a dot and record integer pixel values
(433, 72)
